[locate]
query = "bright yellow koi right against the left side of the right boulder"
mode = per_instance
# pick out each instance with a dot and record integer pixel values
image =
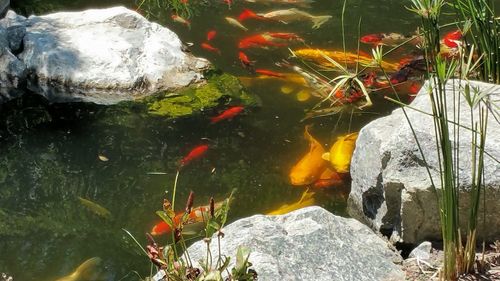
(341, 153)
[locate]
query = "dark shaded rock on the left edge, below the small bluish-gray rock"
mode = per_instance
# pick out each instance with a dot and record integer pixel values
(12, 71)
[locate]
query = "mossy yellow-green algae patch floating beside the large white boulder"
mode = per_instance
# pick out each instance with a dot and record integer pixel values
(220, 89)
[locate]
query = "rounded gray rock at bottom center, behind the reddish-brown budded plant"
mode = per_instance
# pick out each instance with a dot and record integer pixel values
(308, 244)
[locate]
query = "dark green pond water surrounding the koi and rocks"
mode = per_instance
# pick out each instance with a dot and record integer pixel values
(49, 155)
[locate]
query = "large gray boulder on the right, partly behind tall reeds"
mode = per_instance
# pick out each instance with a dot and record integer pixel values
(391, 190)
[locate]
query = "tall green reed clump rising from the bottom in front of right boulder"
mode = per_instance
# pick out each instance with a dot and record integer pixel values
(458, 259)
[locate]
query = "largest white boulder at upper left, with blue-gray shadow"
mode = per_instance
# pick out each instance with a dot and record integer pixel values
(104, 56)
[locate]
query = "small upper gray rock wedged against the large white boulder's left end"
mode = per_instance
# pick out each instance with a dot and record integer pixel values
(16, 30)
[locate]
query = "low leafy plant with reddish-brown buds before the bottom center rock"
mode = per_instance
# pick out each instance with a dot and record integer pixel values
(167, 260)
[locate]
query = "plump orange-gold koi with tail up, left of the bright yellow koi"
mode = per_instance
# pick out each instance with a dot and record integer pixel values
(310, 167)
